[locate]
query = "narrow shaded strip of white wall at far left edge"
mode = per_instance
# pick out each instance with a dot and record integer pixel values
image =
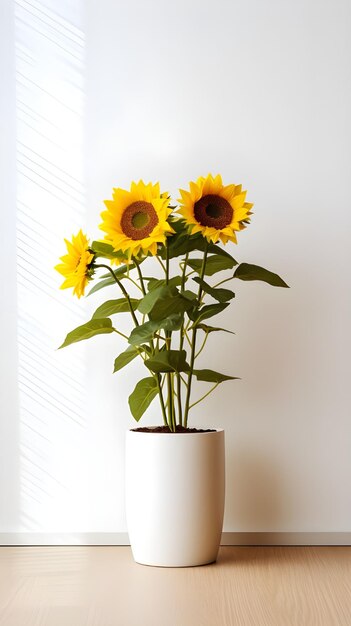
(9, 418)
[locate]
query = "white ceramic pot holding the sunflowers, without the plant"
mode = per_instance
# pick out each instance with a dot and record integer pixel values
(175, 497)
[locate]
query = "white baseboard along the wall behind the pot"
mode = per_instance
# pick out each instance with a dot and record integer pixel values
(228, 539)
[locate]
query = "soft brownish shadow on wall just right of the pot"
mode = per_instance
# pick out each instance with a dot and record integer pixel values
(255, 491)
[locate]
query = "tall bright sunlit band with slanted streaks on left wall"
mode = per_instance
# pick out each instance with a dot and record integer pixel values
(50, 205)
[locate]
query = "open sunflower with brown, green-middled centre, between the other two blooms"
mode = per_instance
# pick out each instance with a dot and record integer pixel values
(136, 220)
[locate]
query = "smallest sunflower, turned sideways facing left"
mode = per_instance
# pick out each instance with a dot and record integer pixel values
(76, 266)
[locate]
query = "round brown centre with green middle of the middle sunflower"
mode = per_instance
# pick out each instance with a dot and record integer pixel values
(138, 220)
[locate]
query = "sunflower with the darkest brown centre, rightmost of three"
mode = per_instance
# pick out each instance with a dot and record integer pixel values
(214, 210)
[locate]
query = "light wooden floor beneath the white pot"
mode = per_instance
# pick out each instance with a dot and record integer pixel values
(102, 586)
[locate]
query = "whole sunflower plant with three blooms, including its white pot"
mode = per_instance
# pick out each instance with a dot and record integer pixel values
(174, 473)
